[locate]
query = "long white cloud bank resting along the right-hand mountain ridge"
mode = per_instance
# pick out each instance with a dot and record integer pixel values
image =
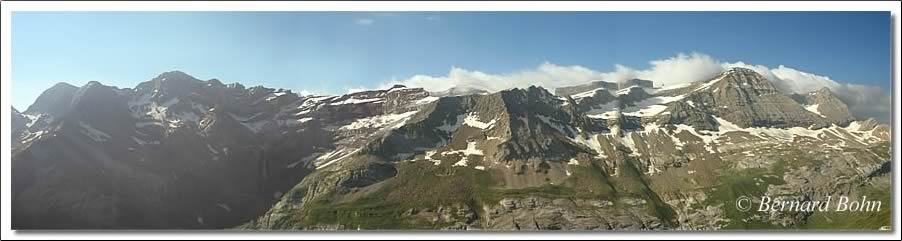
(863, 101)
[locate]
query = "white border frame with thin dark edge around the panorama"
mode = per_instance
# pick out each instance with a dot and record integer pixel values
(5, 76)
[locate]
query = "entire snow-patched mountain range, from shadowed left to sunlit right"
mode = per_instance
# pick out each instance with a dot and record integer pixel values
(176, 152)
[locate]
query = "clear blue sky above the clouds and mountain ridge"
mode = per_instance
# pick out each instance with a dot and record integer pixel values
(330, 52)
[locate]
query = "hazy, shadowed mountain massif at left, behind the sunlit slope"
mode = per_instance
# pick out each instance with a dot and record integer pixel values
(178, 152)
